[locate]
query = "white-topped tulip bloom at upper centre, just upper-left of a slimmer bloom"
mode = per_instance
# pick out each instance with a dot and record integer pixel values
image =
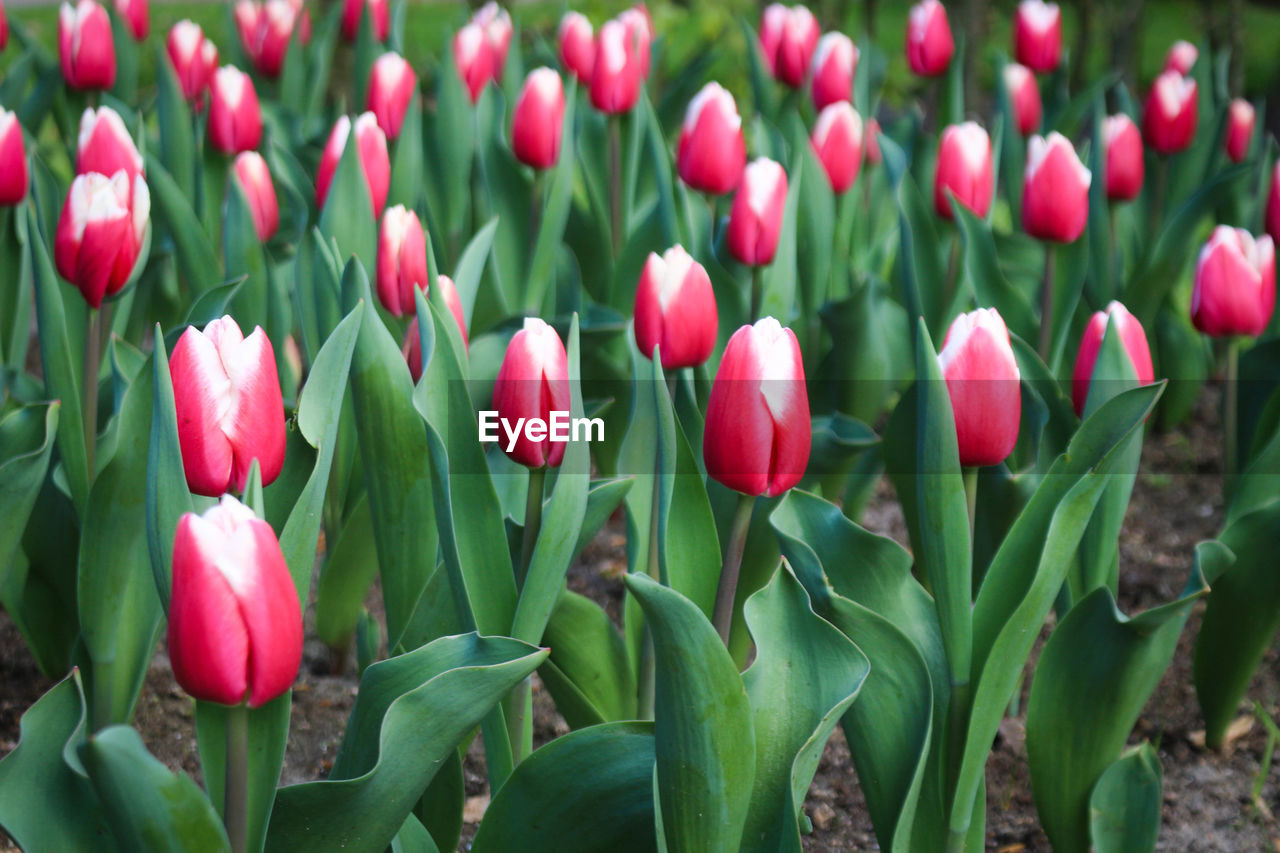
(712, 153)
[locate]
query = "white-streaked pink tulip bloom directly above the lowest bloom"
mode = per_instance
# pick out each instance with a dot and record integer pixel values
(227, 396)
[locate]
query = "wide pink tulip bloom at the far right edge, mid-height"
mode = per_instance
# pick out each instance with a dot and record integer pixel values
(1236, 284)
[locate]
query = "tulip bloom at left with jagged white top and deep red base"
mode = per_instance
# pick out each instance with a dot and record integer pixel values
(100, 234)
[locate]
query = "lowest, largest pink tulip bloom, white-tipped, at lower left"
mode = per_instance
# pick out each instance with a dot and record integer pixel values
(235, 621)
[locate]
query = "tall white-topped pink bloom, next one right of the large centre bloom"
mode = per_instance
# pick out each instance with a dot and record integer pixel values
(984, 382)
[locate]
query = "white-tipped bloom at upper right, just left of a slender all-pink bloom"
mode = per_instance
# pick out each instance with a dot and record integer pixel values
(1055, 190)
